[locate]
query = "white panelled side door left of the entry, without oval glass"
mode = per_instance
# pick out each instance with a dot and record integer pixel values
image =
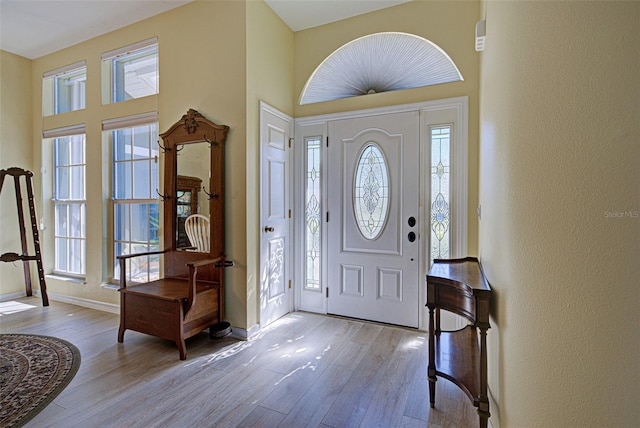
(275, 215)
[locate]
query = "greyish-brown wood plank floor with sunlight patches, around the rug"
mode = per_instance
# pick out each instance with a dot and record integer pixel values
(305, 370)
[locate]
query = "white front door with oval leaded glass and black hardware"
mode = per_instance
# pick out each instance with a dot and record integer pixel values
(373, 228)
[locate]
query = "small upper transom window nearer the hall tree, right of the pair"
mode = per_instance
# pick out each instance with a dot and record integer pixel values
(130, 72)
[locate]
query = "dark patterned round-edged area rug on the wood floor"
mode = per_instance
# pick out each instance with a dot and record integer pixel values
(33, 371)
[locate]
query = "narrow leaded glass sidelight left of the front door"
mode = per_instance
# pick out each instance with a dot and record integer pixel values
(312, 214)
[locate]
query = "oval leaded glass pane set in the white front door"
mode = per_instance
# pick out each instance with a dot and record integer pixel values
(371, 192)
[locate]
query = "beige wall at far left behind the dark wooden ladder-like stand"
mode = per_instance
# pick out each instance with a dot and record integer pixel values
(16, 149)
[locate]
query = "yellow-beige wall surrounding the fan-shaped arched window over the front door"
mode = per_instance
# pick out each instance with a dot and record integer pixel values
(448, 24)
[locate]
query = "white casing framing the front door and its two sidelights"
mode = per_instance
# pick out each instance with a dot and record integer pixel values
(451, 111)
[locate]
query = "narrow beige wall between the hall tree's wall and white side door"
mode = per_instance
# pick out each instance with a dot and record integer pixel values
(269, 79)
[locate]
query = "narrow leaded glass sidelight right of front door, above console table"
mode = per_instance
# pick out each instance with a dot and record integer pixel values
(440, 192)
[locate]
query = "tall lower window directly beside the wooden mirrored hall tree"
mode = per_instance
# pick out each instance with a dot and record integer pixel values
(136, 209)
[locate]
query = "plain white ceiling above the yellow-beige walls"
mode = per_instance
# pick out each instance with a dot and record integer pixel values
(33, 28)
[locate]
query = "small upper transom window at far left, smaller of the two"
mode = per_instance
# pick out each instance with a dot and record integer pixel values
(64, 89)
